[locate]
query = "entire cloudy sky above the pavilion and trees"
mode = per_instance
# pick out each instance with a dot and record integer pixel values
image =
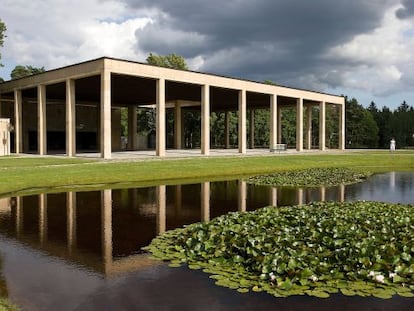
(359, 48)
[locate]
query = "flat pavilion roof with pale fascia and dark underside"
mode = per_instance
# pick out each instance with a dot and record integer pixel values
(129, 75)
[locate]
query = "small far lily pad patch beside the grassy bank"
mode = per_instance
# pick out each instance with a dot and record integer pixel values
(313, 177)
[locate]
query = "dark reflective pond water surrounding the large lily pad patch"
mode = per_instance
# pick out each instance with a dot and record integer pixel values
(82, 251)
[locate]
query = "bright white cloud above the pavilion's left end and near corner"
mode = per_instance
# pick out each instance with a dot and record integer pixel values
(57, 33)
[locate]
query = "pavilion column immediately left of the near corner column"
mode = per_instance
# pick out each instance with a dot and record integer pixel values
(70, 118)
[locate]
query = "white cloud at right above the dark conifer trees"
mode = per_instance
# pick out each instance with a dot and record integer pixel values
(376, 62)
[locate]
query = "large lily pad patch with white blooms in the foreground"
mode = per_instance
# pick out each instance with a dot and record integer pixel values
(354, 248)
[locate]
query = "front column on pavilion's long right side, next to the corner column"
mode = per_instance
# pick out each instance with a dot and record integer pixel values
(160, 118)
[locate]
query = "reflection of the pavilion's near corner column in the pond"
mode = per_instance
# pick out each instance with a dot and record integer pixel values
(106, 228)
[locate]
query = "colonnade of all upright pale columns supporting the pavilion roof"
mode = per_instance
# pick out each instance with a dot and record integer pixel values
(105, 137)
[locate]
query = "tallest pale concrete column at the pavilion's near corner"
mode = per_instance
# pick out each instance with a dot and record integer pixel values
(105, 113)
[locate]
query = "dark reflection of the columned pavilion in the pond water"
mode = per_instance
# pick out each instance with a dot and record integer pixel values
(105, 230)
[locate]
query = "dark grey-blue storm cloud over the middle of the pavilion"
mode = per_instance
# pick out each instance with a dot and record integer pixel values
(273, 39)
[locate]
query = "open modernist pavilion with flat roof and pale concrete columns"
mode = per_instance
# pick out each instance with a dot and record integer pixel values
(78, 108)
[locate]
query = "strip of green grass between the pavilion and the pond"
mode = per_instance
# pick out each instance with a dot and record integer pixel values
(36, 174)
